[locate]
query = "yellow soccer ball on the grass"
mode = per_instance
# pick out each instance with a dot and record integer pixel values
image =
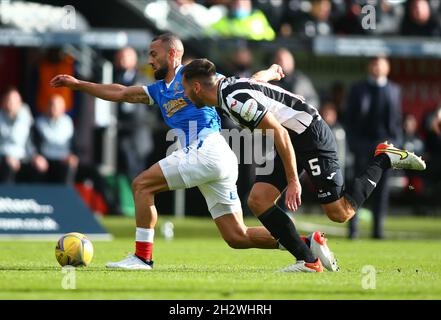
(74, 249)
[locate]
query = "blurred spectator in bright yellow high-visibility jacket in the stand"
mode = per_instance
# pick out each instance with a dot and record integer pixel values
(243, 21)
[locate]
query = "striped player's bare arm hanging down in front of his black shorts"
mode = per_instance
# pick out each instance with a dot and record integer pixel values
(286, 151)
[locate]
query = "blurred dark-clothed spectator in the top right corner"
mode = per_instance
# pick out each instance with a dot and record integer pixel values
(419, 20)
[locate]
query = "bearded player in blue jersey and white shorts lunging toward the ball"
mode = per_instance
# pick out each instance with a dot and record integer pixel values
(205, 161)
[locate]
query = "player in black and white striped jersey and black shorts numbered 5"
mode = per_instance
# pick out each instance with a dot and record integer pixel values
(303, 141)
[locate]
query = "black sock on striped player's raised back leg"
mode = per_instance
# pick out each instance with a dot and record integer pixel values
(365, 183)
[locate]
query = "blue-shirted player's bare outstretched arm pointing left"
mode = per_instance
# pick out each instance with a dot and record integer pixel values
(110, 92)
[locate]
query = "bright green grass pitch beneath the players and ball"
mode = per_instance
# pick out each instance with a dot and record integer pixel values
(197, 264)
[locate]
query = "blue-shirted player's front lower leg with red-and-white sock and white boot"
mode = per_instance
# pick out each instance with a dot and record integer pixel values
(144, 187)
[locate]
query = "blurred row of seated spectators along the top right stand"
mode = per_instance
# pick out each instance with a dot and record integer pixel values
(268, 19)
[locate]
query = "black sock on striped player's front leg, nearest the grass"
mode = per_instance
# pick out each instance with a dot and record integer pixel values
(282, 228)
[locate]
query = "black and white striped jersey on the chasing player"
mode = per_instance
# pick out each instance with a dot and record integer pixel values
(246, 102)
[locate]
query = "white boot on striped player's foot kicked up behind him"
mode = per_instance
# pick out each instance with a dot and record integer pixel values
(400, 158)
